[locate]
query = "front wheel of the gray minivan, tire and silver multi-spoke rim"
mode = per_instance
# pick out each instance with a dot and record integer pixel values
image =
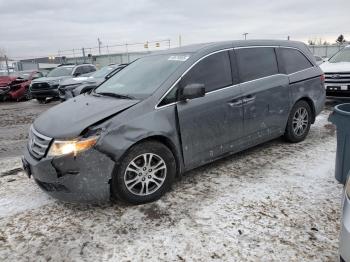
(144, 174)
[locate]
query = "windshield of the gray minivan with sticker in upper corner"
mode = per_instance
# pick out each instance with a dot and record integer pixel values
(142, 77)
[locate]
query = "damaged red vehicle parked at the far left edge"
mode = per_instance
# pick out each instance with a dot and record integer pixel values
(16, 85)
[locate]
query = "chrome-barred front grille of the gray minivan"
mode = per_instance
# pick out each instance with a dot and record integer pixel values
(38, 144)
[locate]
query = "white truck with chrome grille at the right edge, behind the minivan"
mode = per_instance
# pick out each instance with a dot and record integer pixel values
(337, 74)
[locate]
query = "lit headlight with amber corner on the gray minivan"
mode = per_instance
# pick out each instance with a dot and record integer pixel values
(59, 148)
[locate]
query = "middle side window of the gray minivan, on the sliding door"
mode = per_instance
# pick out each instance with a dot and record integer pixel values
(254, 63)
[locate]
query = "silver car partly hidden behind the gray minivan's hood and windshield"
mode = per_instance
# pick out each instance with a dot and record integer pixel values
(69, 88)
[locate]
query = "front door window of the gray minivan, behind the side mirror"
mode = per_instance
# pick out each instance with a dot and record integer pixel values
(213, 71)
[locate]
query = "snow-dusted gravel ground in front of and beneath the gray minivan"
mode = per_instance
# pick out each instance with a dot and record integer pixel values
(277, 201)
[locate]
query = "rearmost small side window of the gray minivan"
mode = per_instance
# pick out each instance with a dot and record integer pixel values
(294, 60)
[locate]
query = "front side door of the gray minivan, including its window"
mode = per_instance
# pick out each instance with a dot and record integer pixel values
(211, 126)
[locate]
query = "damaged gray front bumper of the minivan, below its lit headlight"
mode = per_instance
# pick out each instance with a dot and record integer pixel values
(84, 178)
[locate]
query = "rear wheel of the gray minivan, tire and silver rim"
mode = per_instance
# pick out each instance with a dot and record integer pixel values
(299, 122)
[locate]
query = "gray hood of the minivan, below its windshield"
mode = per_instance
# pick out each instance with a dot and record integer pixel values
(67, 120)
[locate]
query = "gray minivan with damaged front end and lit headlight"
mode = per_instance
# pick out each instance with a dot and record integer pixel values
(172, 111)
